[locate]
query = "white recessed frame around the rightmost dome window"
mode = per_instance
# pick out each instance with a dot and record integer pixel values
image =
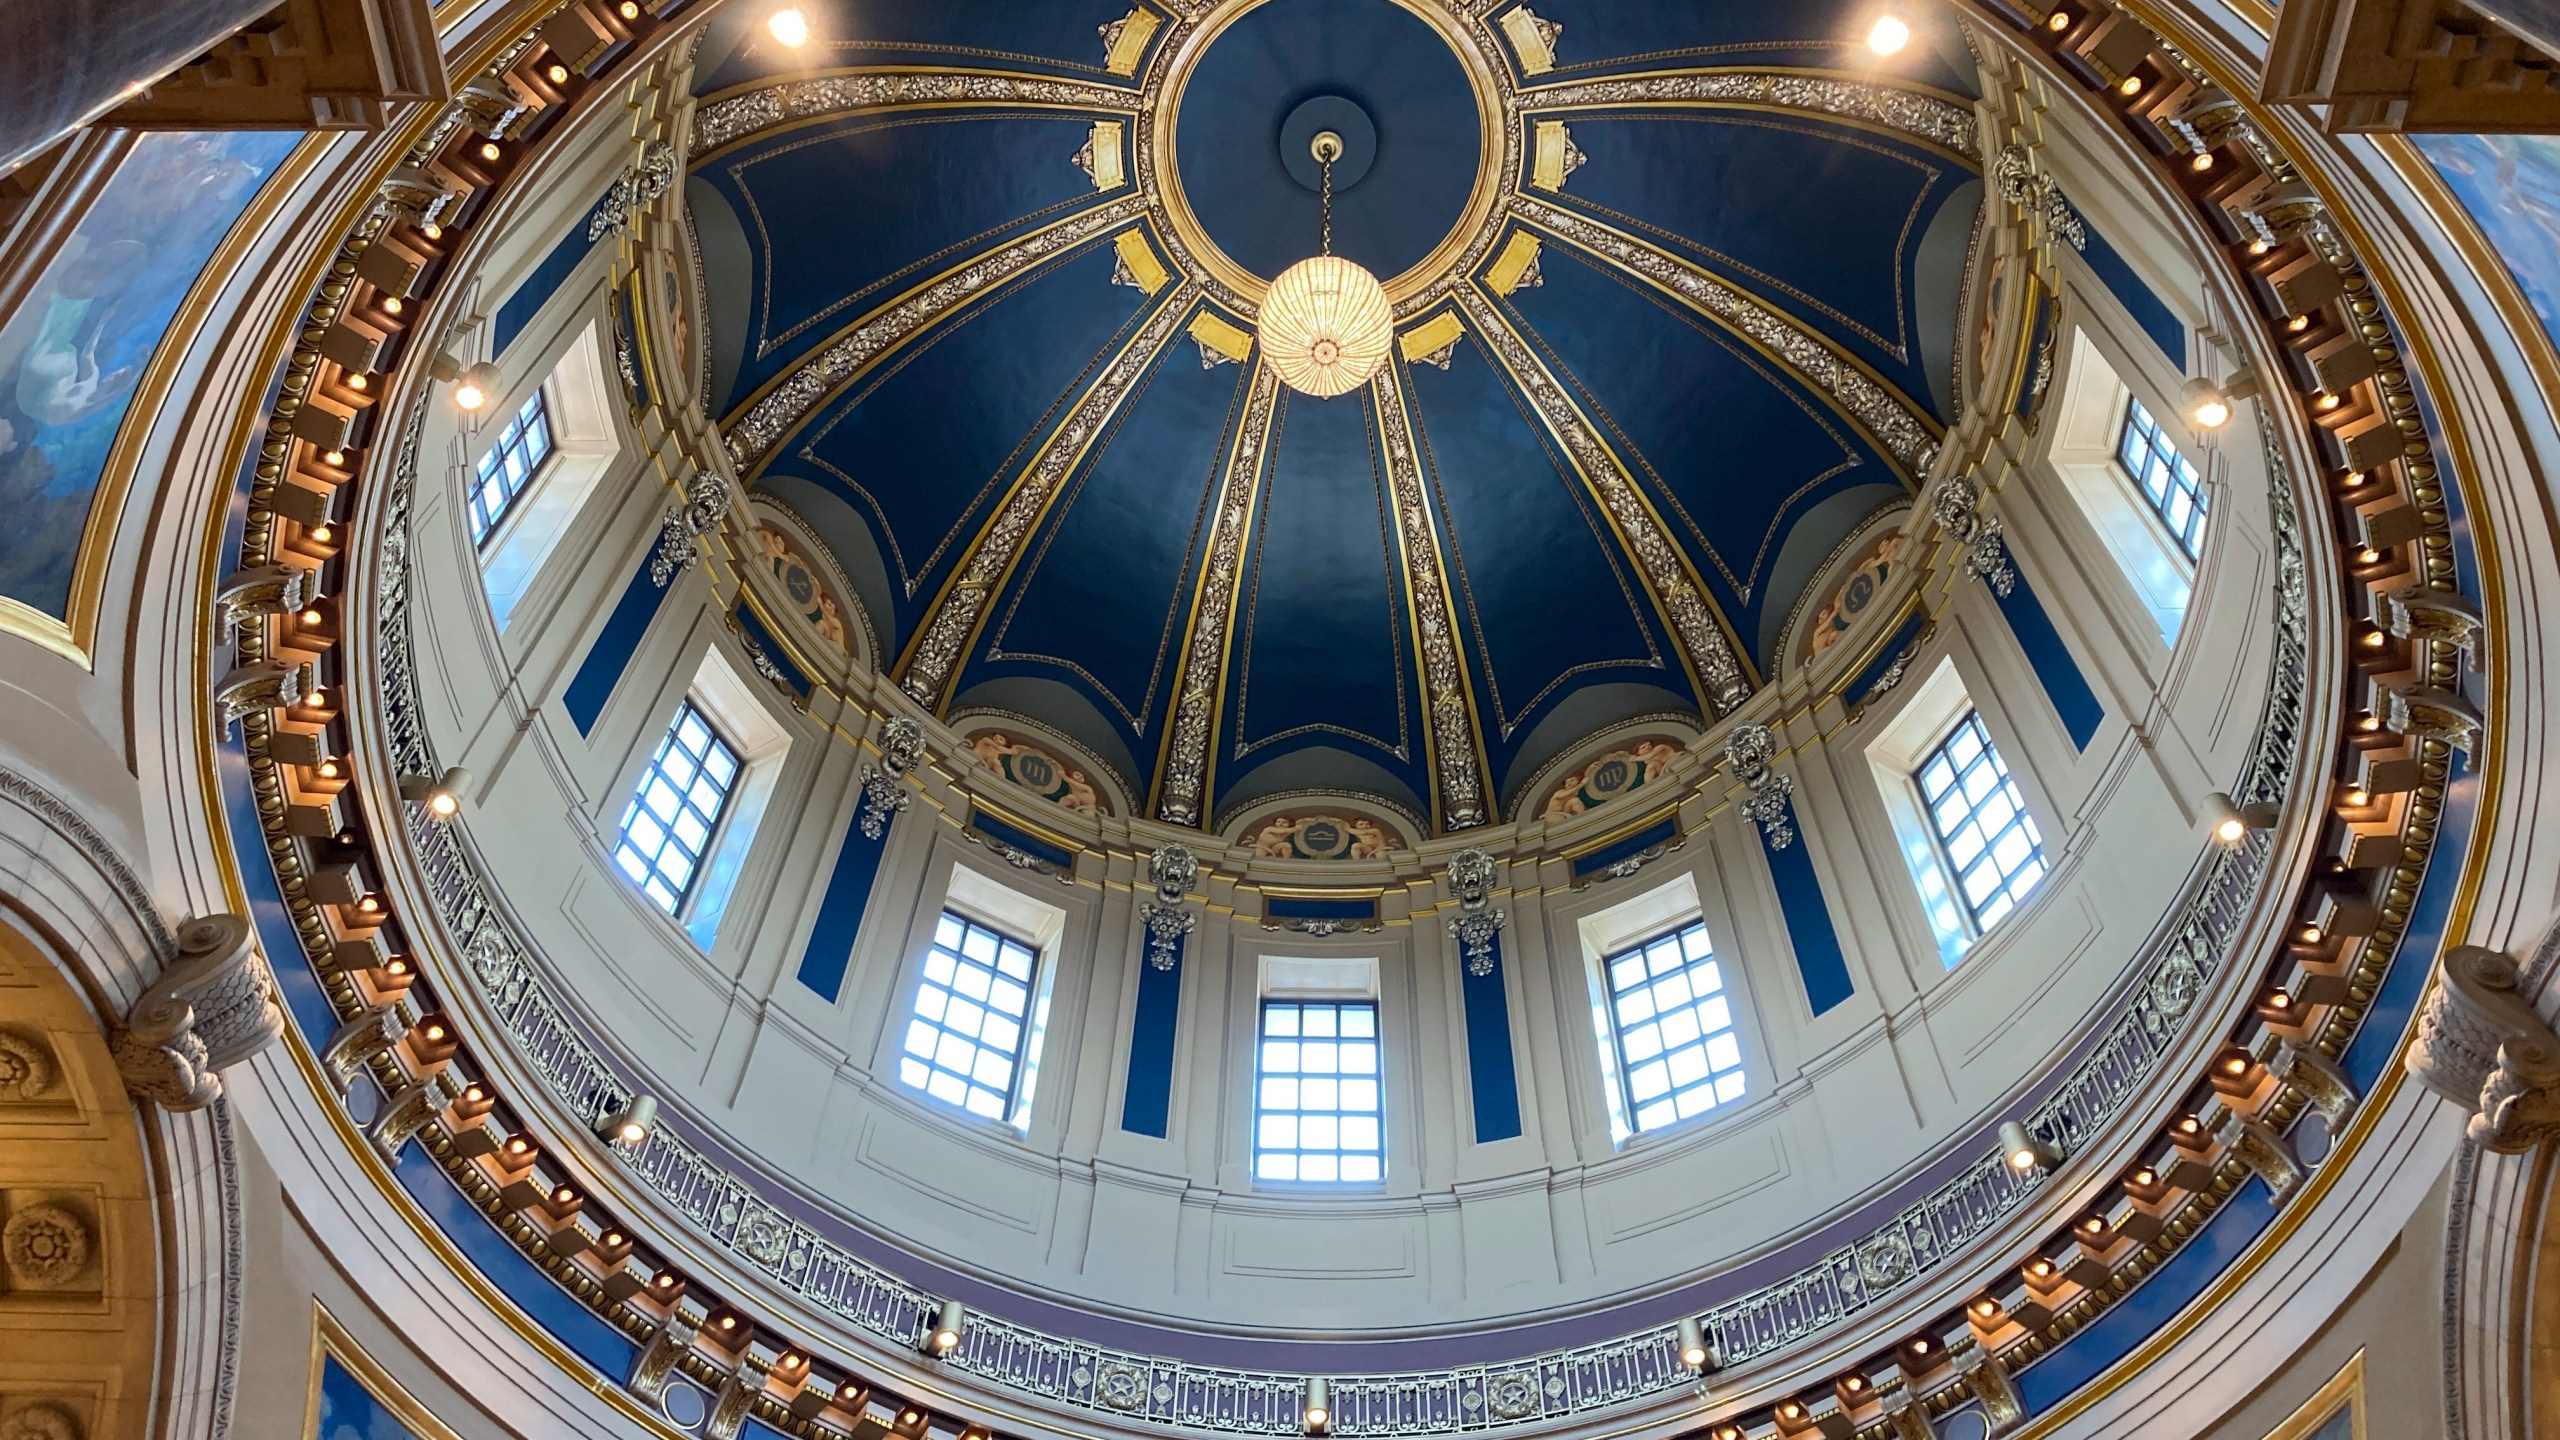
(2088, 429)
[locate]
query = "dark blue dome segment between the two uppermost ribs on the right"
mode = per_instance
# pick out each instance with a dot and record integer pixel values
(1821, 222)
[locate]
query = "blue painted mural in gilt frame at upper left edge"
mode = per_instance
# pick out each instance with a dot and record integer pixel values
(83, 334)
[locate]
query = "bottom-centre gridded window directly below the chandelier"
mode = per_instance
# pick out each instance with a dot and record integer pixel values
(1317, 1108)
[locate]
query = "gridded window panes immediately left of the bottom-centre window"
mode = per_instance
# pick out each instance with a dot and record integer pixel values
(964, 1042)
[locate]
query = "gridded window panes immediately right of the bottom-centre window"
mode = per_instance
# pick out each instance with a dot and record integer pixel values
(1678, 1054)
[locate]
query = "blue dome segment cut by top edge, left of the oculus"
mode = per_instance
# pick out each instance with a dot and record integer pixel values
(1053, 37)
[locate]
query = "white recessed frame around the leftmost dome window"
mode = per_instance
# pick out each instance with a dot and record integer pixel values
(582, 450)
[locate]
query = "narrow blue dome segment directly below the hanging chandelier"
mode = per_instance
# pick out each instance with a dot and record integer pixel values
(1322, 637)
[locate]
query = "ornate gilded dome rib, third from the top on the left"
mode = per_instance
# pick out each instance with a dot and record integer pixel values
(959, 614)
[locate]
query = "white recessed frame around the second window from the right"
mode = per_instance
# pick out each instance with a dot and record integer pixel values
(1916, 732)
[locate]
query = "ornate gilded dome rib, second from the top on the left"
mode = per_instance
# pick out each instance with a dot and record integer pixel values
(790, 398)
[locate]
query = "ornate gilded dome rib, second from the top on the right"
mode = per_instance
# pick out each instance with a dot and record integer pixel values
(1891, 419)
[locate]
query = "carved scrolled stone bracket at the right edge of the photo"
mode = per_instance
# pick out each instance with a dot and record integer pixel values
(2482, 1047)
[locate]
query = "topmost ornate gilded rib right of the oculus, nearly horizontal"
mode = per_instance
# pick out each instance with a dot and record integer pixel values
(1939, 119)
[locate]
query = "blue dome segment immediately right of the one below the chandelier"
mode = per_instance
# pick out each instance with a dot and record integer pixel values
(1548, 601)
